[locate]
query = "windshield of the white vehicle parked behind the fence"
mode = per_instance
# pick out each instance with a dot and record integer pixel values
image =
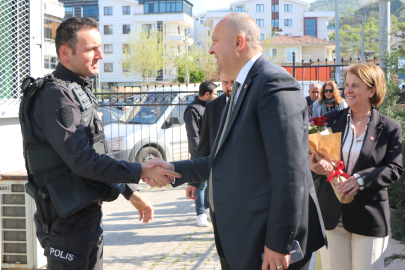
(151, 107)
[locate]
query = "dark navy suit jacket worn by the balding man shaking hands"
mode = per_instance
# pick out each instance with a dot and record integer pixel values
(262, 186)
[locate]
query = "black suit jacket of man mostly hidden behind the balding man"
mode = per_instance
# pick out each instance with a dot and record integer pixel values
(210, 125)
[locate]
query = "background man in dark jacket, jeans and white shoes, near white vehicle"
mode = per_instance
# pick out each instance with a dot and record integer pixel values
(193, 116)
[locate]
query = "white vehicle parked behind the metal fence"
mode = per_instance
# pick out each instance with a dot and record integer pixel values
(154, 127)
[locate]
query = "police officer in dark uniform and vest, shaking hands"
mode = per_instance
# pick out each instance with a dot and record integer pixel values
(70, 168)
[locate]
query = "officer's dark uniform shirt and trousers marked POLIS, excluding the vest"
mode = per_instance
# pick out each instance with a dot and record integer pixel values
(74, 241)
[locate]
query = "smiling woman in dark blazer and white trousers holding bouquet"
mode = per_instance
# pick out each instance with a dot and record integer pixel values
(358, 232)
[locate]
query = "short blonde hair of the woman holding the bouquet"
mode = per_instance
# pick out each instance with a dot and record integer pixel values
(372, 76)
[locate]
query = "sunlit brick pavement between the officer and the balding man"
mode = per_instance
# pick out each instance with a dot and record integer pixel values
(171, 240)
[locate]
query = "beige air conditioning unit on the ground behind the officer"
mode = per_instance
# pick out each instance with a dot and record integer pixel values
(19, 245)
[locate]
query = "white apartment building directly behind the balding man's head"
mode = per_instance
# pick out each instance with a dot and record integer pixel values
(280, 17)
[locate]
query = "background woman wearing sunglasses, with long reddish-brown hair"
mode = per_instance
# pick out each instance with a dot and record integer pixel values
(329, 100)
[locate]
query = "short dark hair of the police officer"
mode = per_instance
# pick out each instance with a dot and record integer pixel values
(66, 34)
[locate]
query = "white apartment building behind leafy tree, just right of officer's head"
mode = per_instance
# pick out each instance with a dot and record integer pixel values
(119, 17)
